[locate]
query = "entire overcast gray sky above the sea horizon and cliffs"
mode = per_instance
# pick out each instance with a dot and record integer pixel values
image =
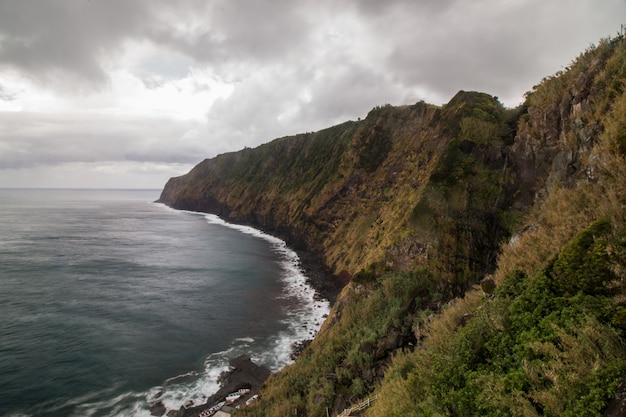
(128, 93)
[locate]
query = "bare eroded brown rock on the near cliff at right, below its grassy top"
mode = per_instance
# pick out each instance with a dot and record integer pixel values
(553, 137)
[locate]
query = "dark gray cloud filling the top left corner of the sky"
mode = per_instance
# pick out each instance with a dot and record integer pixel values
(65, 41)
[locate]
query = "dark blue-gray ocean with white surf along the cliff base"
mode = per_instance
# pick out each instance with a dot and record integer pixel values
(108, 300)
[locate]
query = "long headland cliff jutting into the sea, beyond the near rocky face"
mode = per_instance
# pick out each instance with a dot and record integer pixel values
(354, 194)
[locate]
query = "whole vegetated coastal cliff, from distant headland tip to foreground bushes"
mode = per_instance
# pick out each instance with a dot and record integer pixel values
(415, 205)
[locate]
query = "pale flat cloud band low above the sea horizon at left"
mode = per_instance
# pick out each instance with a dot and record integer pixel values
(29, 140)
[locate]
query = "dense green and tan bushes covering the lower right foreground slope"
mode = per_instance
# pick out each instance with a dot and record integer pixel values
(536, 348)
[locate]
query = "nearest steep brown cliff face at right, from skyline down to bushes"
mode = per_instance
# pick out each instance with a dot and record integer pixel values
(560, 126)
